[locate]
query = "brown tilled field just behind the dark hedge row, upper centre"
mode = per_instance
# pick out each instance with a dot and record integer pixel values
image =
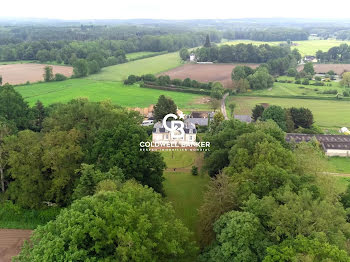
(205, 72)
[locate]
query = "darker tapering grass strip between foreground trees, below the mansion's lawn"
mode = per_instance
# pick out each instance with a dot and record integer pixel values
(185, 192)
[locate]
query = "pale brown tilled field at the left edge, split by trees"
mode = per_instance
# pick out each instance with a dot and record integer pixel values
(21, 73)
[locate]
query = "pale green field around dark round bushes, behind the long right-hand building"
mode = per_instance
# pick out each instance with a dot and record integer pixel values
(327, 113)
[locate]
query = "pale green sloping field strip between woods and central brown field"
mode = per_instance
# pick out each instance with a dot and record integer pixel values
(152, 65)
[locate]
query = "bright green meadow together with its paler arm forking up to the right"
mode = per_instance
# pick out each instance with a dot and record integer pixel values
(107, 85)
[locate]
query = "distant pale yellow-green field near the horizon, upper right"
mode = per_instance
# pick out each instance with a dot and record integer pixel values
(308, 47)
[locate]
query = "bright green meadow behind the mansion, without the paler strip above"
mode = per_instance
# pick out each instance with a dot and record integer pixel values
(116, 92)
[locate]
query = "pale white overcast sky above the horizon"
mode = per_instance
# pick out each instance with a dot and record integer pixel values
(178, 9)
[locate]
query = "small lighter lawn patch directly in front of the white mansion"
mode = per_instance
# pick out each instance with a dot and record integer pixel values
(179, 159)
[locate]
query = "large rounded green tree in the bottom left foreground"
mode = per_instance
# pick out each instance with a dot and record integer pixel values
(131, 224)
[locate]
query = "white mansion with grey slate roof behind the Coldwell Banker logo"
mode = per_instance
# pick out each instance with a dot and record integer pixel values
(161, 135)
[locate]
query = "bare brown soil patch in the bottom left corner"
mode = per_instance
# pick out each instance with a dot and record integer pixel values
(11, 241)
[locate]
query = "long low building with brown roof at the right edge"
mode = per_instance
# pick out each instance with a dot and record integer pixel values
(333, 145)
